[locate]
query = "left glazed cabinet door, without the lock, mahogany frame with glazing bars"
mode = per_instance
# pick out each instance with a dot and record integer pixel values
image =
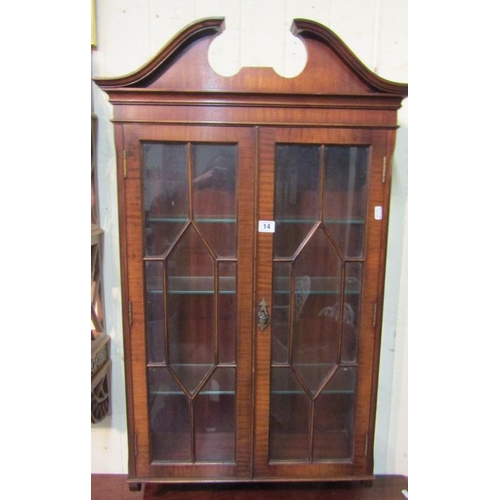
(187, 235)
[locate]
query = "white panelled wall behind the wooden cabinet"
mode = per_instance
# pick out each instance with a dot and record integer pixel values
(130, 32)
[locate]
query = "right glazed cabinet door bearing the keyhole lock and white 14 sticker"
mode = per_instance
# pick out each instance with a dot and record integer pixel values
(319, 274)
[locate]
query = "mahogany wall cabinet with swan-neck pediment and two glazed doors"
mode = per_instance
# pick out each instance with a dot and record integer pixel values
(253, 224)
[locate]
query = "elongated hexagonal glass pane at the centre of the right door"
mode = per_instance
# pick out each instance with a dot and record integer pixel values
(314, 339)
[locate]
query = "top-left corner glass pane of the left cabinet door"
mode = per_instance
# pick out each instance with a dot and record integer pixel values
(165, 195)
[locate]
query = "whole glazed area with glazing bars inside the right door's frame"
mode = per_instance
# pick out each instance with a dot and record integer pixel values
(316, 299)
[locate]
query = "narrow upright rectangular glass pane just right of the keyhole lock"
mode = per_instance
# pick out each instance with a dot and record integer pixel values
(280, 317)
